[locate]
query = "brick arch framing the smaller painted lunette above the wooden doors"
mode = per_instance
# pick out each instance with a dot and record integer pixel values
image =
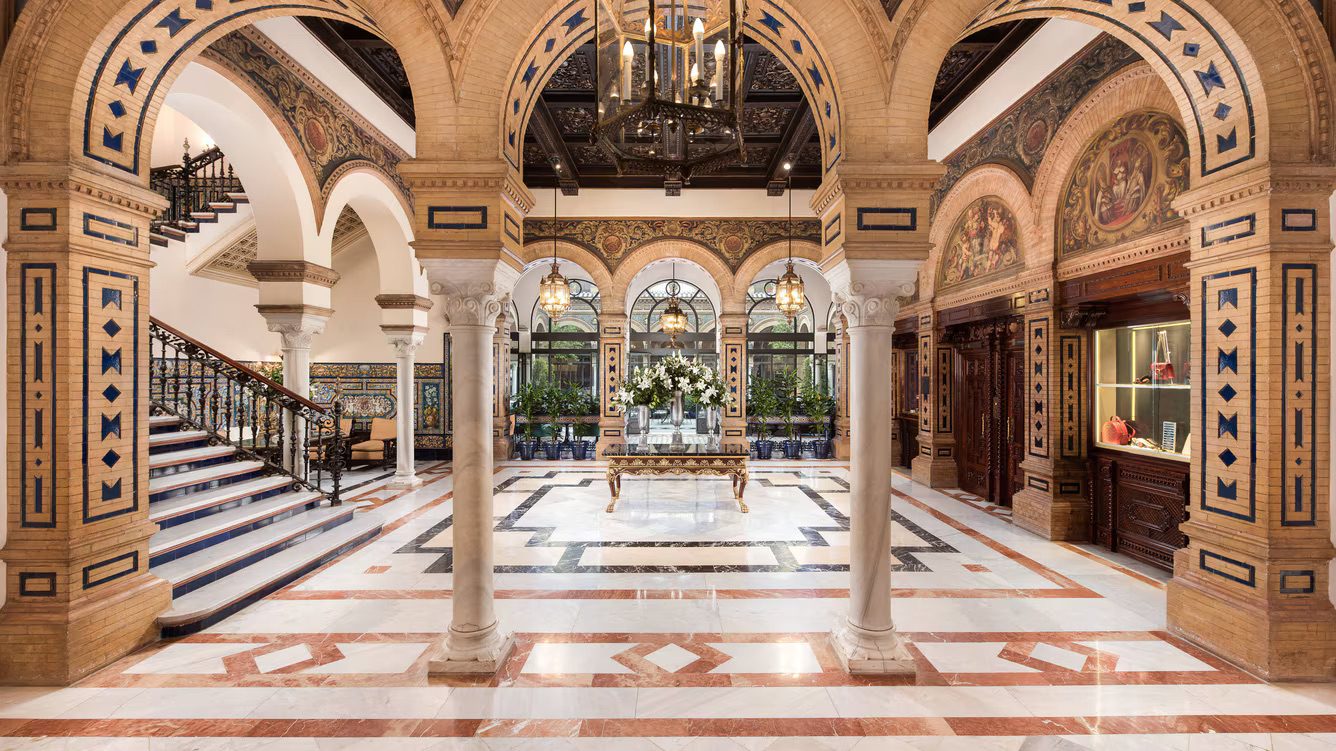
(997, 182)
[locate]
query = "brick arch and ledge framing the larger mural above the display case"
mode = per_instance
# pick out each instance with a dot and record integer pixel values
(1134, 90)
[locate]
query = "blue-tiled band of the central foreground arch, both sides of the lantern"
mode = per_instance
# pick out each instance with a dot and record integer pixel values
(768, 23)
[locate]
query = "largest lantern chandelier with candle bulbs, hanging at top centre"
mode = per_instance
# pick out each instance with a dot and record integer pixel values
(666, 106)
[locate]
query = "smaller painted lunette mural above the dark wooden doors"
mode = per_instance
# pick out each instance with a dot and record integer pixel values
(984, 243)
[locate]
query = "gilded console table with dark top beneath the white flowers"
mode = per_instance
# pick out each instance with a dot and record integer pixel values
(727, 460)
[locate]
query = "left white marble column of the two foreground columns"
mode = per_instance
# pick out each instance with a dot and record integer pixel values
(476, 293)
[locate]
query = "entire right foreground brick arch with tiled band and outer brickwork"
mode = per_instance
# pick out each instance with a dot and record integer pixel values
(1238, 54)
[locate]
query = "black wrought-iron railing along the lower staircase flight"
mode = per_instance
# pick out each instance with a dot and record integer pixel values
(238, 407)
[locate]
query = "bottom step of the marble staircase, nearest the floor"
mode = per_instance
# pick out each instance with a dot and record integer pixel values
(217, 601)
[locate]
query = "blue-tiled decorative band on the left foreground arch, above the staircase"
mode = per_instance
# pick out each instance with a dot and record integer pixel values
(144, 54)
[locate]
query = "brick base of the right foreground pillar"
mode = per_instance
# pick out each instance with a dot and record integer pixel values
(1271, 643)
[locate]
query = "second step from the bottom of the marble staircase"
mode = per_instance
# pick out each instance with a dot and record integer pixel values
(225, 559)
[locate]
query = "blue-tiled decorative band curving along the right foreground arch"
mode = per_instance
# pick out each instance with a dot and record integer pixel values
(1208, 69)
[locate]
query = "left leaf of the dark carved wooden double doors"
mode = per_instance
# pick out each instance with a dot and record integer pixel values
(975, 424)
